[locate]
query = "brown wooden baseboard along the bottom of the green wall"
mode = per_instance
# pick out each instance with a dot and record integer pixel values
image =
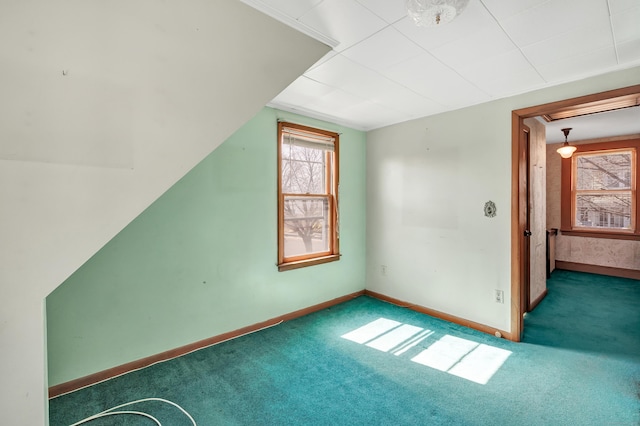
(110, 373)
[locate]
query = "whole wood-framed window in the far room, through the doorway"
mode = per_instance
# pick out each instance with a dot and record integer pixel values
(599, 190)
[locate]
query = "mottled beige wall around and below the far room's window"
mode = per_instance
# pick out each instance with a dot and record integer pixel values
(623, 254)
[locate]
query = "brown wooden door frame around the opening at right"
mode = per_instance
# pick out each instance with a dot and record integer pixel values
(517, 123)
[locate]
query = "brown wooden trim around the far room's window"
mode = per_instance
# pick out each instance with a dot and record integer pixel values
(567, 204)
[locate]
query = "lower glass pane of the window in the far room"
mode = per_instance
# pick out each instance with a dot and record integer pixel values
(611, 211)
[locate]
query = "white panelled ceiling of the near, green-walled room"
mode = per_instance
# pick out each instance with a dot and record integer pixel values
(383, 69)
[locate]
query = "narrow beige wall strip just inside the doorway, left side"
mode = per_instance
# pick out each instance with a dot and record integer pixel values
(537, 220)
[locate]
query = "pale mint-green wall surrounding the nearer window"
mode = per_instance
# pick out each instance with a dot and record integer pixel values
(201, 260)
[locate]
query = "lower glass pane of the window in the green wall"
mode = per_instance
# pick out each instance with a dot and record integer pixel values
(306, 225)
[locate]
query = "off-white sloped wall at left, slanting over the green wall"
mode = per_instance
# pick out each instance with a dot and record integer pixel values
(149, 89)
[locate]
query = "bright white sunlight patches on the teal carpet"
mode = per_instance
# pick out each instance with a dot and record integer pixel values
(460, 357)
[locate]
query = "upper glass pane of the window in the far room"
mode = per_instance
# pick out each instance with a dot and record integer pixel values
(604, 171)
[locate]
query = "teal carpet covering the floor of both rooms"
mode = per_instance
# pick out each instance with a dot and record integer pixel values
(579, 364)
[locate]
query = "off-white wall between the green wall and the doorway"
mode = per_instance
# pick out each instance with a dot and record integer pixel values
(427, 183)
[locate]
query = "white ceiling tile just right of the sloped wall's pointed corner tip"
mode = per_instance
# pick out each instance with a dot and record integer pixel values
(383, 50)
